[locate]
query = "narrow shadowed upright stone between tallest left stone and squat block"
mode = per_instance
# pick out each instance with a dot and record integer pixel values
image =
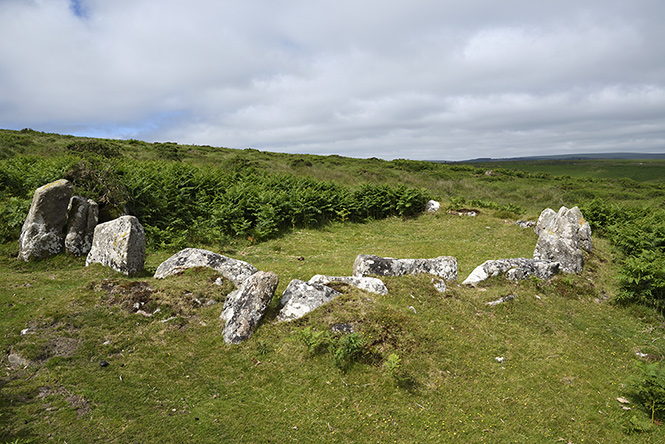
(83, 215)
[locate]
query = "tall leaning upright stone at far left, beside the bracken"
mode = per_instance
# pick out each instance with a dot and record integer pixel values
(43, 232)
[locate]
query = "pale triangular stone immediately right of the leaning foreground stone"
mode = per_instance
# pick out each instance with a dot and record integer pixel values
(301, 297)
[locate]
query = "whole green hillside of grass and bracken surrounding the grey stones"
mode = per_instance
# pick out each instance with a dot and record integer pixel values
(547, 366)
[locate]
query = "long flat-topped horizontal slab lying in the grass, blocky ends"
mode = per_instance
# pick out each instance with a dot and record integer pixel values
(443, 266)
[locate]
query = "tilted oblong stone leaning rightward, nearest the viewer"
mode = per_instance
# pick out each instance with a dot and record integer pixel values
(244, 308)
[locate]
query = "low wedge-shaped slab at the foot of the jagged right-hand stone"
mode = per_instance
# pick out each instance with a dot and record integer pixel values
(515, 269)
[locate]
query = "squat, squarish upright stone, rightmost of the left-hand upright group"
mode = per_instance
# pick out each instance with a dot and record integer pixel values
(119, 244)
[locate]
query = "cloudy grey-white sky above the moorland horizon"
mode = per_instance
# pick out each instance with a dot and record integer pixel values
(415, 79)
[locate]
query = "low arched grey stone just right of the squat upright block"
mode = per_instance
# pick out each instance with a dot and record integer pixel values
(235, 270)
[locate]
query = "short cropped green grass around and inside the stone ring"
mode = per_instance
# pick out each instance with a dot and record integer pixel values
(568, 353)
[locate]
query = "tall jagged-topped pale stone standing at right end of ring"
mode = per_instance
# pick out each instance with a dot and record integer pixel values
(561, 238)
